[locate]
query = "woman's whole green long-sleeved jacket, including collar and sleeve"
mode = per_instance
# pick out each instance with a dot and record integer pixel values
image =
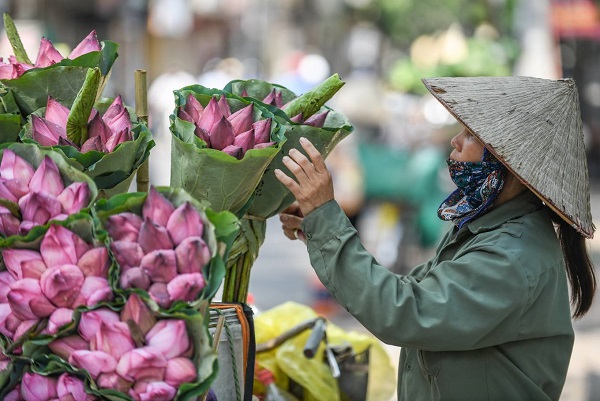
(487, 318)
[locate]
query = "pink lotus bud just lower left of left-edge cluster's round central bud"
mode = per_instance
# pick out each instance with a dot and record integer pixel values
(27, 301)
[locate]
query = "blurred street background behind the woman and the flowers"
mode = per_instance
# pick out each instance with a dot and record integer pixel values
(390, 174)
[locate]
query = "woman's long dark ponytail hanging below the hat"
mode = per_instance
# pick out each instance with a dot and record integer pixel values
(580, 269)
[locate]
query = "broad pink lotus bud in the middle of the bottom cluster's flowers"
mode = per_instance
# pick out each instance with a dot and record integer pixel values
(140, 364)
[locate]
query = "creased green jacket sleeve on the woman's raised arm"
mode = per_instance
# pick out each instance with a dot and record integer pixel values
(473, 301)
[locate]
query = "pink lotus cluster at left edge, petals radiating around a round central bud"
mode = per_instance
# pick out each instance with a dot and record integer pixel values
(50, 282)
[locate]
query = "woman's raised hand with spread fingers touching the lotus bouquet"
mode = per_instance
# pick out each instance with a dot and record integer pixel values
(313, 185)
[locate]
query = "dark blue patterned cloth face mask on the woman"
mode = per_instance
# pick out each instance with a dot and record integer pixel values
(479, 184)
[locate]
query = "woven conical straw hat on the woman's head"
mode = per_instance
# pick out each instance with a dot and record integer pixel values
(533, 126)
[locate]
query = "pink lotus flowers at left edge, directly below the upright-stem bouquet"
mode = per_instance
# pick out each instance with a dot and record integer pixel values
(32, 196)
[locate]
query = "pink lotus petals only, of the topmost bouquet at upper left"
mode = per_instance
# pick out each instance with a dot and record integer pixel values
(47, 56)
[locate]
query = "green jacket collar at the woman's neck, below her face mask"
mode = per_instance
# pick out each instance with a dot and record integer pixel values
(524, 203)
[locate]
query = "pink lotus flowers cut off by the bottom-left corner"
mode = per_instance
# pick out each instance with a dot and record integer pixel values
(37, 387)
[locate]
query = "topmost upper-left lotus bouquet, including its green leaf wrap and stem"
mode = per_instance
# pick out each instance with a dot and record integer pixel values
(52, 74)
